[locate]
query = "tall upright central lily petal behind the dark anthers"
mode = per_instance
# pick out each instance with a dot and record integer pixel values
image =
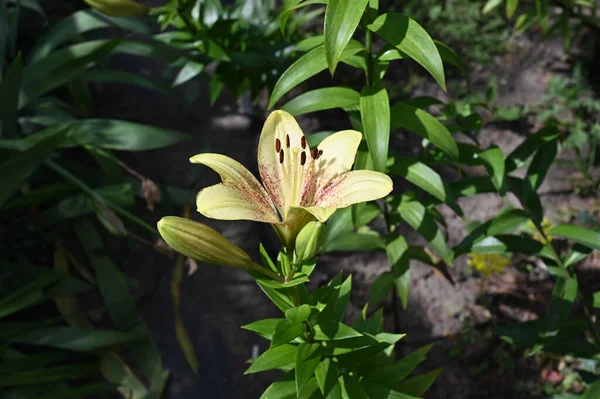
(281, 150)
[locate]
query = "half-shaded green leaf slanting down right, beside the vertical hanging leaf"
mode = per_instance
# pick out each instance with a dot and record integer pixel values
(426, 126)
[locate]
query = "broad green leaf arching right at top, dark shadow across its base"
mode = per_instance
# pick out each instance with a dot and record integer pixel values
(410, 38)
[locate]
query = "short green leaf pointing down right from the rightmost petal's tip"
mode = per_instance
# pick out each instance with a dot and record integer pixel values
(420, 175)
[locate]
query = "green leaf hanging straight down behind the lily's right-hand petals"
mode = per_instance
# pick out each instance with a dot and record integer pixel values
(375, 116)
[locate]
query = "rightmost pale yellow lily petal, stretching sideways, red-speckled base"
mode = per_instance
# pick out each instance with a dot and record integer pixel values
(352, 188)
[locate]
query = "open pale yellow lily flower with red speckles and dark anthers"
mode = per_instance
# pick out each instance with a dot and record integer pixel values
(301, 184)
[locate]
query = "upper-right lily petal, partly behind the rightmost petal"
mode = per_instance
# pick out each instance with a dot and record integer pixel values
(337, 157)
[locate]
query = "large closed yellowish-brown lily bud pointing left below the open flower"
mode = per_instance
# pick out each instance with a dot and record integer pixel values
(198, 241)
